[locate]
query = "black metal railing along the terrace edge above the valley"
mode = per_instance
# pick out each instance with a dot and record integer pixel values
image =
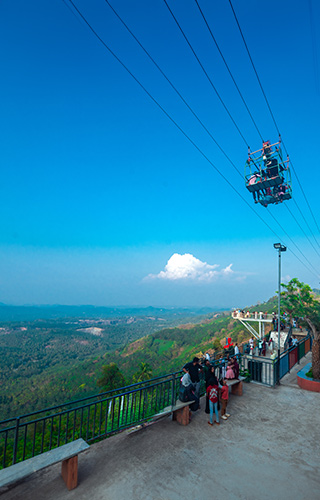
(99, 416)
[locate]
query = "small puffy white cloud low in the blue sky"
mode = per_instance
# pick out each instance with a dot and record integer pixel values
(188, 267)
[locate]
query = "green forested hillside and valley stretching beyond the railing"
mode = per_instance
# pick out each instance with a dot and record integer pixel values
(48, 362)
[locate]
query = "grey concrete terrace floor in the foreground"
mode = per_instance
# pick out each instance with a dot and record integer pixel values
(268, 449)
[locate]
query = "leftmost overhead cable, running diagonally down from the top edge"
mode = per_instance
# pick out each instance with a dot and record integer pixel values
(179, 128)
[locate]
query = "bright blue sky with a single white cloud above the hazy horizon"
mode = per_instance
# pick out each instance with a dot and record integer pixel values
(109, 198)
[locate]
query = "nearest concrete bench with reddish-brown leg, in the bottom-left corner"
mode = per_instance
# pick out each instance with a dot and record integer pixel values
(67, 454)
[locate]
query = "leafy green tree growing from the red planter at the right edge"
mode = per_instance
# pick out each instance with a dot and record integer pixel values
(298, 300)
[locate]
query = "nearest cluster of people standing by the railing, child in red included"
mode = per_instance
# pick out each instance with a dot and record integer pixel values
(217, 391)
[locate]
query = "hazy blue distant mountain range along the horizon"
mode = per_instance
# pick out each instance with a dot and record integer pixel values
(31, 313)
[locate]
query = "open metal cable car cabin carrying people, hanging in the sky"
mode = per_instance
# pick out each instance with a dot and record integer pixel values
(267, 175)
